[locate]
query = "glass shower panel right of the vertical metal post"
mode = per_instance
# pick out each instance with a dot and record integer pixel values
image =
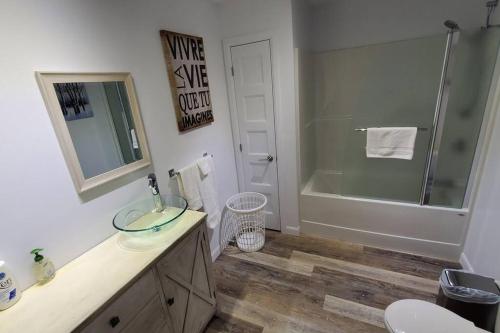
(475, 58)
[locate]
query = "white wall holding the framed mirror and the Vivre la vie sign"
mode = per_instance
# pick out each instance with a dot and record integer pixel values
(39, 206)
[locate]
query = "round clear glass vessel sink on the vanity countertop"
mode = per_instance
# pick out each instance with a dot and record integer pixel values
(140, 218)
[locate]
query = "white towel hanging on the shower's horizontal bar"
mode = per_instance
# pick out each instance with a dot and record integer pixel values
(391, 142)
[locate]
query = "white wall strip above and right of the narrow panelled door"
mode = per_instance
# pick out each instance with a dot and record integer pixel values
(244, 17)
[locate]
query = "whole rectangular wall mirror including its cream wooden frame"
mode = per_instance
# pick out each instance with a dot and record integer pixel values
(97, 121)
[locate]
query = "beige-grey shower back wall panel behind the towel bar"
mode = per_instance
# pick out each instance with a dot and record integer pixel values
(391, 84)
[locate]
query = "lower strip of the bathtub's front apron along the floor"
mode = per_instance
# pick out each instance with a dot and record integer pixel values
(435, 249)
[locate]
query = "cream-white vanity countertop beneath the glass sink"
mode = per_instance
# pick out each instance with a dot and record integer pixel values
(86, 283)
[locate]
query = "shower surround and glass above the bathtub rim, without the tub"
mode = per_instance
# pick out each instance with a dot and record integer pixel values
(439, 84)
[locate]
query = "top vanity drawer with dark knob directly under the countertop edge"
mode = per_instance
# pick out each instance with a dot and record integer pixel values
(118, 314)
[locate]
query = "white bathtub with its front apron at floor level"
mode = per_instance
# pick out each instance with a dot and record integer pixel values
(425, 230)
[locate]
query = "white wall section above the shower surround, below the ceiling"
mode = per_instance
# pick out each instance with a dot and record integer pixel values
(349, 23)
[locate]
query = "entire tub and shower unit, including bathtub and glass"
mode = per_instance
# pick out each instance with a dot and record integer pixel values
(439, 84)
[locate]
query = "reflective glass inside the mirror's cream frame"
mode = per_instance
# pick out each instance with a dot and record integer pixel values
(100, 123)
